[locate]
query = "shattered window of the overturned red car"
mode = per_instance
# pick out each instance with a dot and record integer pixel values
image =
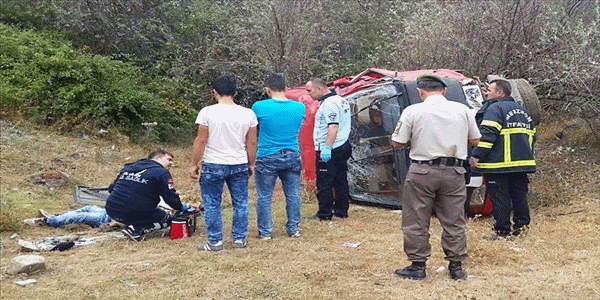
(374, 167)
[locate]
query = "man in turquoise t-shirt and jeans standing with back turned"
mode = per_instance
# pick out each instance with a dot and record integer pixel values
(278, 155)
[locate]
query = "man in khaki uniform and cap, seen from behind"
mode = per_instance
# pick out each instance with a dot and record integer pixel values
(438, 131)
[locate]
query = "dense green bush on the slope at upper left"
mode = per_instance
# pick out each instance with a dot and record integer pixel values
(44, 78)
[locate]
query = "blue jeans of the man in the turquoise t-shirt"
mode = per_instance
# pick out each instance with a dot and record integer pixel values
(286, 165)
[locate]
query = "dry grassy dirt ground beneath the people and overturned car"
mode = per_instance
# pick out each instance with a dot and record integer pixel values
(558, 258)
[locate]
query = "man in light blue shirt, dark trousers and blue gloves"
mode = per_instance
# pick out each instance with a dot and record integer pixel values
(331, 132)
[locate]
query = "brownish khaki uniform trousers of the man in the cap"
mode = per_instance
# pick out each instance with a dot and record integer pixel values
(440, 191)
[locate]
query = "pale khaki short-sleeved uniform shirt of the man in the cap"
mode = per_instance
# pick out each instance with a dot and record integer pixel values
(436, 128)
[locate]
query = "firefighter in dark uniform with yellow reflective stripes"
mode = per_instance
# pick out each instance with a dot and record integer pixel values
(505, 156)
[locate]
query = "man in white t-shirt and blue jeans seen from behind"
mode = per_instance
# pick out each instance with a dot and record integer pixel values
(226, 145)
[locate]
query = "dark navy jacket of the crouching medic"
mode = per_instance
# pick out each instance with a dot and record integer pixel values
(138, 186)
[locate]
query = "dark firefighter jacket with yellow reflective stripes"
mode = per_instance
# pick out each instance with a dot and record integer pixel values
(507, 137)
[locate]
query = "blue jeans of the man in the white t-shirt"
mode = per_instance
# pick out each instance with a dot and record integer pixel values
(211, 185)
